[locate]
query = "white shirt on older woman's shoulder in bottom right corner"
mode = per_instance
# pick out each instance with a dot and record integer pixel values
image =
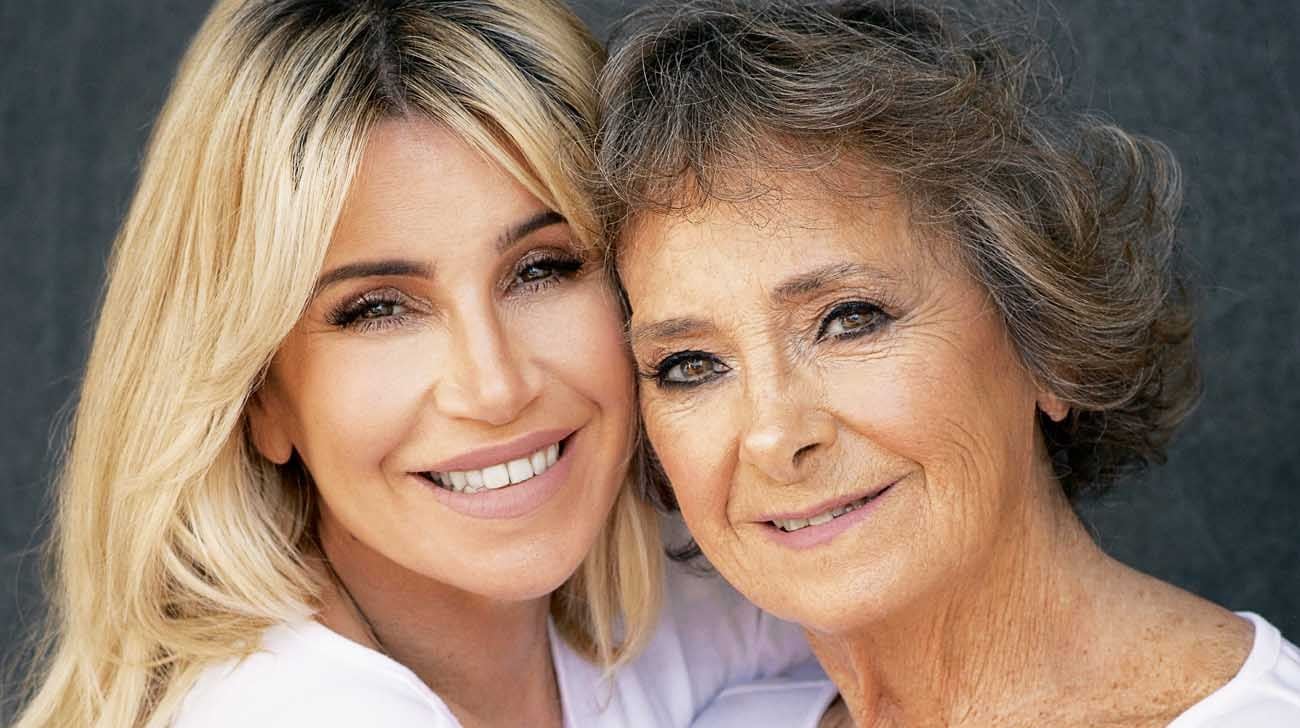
(1266, 694)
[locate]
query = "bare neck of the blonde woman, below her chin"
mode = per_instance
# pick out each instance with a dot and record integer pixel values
(463, 647)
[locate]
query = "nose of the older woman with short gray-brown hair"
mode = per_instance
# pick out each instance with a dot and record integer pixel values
(787, 430)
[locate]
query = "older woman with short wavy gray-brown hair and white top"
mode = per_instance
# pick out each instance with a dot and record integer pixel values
(892, 319)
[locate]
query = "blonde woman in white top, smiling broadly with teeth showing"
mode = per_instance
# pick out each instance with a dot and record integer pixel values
(354, 440)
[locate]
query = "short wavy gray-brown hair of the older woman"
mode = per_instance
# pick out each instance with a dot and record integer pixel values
(1068, 222)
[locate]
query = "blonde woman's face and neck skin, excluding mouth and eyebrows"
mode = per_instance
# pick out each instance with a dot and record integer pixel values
(466, 357)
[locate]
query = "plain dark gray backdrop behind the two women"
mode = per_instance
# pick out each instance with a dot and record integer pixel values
(81, 83)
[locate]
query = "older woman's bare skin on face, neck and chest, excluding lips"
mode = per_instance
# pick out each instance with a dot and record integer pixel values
(969, 595)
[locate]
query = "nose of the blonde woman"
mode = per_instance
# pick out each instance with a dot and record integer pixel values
(489, 376)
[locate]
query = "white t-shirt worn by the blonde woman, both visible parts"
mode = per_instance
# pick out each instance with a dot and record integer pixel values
(709, 644)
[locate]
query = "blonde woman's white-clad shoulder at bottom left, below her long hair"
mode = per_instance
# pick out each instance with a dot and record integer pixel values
(306, 675)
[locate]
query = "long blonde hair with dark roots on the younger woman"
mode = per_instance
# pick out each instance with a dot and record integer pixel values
(176, 544)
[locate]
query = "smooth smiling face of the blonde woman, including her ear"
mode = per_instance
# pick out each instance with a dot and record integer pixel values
(458, 387)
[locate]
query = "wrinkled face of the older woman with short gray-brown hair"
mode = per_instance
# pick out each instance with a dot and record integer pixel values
(839, 409)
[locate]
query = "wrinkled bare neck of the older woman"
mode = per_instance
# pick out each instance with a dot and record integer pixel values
(1009, 635)
